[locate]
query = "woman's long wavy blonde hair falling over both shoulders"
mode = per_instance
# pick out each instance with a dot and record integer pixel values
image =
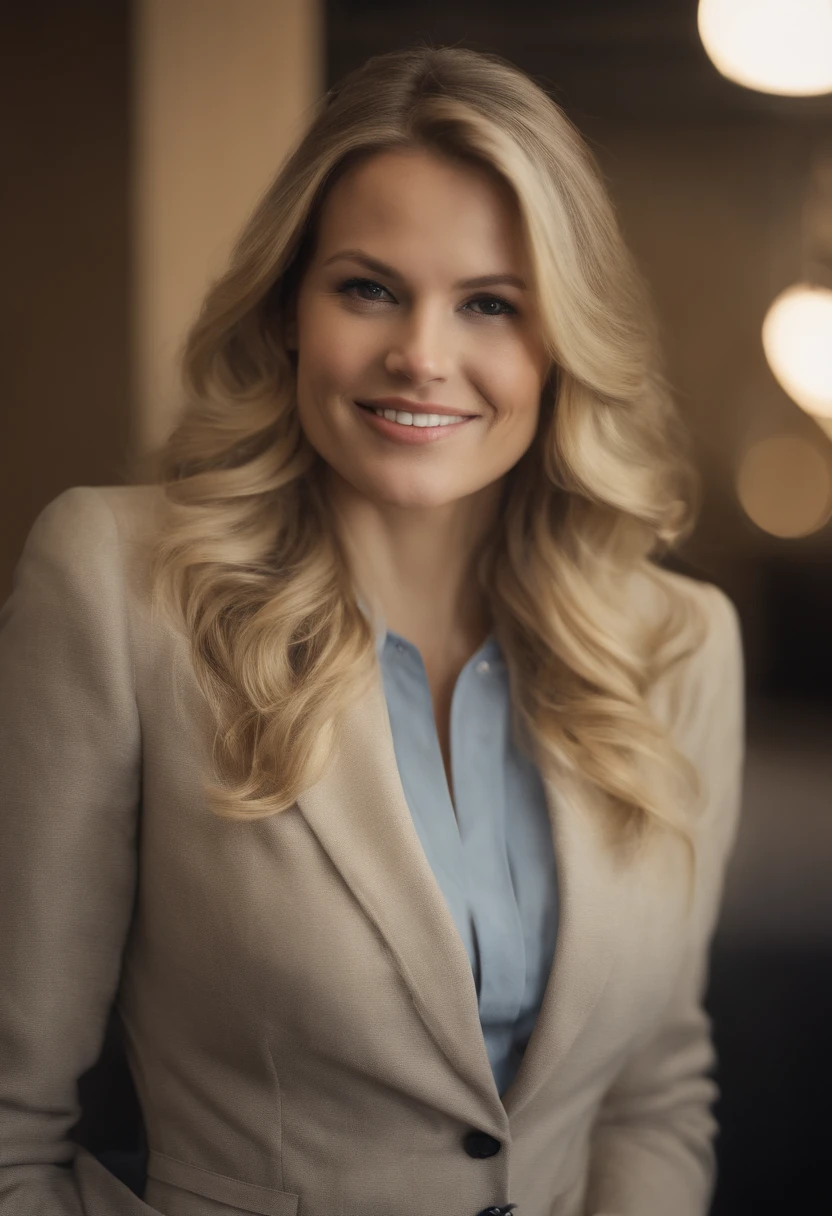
(248, 560)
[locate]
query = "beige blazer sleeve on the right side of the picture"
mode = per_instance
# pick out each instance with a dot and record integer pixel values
(653, 1146)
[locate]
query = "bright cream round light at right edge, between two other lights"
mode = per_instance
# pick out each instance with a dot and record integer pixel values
(797, 339)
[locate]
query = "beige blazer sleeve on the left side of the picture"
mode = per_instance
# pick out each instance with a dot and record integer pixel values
(70, 791)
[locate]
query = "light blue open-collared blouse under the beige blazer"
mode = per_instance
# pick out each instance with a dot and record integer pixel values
(493, 860)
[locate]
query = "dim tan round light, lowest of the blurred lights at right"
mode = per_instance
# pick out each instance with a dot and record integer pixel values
(785, 486)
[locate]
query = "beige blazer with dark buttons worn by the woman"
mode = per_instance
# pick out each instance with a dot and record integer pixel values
(300, 1010)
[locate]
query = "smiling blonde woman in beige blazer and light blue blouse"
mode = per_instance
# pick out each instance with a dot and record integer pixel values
(368, 762)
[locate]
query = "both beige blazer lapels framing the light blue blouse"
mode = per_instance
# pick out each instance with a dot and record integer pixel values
(361, 817)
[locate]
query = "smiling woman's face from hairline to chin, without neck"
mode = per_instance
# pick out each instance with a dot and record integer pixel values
(387, 309)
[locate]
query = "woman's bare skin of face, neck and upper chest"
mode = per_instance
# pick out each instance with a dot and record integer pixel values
(412, 517)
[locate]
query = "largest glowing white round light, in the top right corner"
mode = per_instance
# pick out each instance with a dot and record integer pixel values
(783, 47)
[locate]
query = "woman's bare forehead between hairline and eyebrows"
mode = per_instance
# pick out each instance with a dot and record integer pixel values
(415, 201)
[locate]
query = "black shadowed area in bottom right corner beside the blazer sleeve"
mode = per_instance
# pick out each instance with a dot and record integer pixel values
(773, 1010)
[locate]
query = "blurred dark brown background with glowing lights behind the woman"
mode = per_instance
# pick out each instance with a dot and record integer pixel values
(138, 139)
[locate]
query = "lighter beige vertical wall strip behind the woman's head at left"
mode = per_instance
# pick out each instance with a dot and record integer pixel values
(221, 91)
